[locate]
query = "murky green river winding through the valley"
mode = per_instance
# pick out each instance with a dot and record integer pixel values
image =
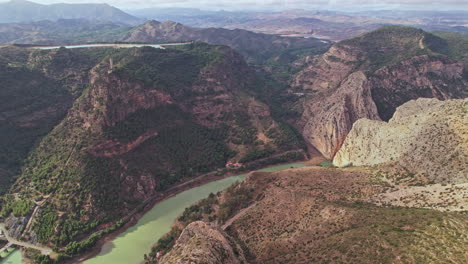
(130, 246)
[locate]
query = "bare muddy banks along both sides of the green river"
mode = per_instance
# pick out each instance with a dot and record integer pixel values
(151, 203)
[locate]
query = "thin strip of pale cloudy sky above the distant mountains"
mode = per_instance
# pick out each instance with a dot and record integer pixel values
(281, 4)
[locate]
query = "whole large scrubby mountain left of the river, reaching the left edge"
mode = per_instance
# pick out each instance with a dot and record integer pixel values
(134, 122)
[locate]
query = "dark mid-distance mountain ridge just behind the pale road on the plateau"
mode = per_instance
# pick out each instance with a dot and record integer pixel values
(256, 48)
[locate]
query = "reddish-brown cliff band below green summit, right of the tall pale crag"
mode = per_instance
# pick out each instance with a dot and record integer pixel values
(420, 76)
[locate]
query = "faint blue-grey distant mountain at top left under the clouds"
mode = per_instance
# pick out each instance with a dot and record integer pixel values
(24, 11)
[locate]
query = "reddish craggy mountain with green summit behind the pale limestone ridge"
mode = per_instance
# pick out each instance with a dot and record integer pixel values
(370, 76)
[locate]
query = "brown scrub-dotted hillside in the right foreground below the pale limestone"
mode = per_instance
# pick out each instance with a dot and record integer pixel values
(313, 214)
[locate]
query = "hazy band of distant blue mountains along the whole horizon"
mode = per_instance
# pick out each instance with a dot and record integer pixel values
(331, 25)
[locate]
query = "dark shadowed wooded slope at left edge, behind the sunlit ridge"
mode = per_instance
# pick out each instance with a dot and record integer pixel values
(23, 92)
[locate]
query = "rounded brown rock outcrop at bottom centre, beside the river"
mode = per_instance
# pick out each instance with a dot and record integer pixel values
(201, 244)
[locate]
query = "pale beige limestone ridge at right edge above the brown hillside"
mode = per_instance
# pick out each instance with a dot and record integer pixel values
(425, 136)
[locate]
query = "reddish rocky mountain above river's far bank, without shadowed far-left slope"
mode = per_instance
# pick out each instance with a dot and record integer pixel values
(145, 119)
